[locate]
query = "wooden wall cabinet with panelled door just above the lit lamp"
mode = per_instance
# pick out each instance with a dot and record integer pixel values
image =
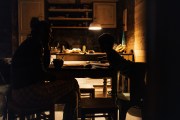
(105, 14)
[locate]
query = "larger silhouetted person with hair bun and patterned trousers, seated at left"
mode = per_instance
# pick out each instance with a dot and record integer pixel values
(30, 71)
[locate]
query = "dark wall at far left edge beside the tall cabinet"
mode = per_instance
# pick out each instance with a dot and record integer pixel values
(5, 28)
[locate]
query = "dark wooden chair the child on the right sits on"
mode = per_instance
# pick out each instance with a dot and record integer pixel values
(135, 96)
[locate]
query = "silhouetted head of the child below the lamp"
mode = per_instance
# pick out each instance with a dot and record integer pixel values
(106, 41)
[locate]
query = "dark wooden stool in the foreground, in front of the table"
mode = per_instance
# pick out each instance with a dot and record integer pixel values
(90, 108)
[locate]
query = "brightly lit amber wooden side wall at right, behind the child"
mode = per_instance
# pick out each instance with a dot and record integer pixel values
(139, 34)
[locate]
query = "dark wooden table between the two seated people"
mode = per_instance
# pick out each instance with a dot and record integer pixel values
(81, 72)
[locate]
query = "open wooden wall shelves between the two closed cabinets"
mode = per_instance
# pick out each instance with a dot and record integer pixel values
(69, 15)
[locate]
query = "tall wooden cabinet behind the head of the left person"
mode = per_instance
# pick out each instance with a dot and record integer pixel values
(26, 10)
